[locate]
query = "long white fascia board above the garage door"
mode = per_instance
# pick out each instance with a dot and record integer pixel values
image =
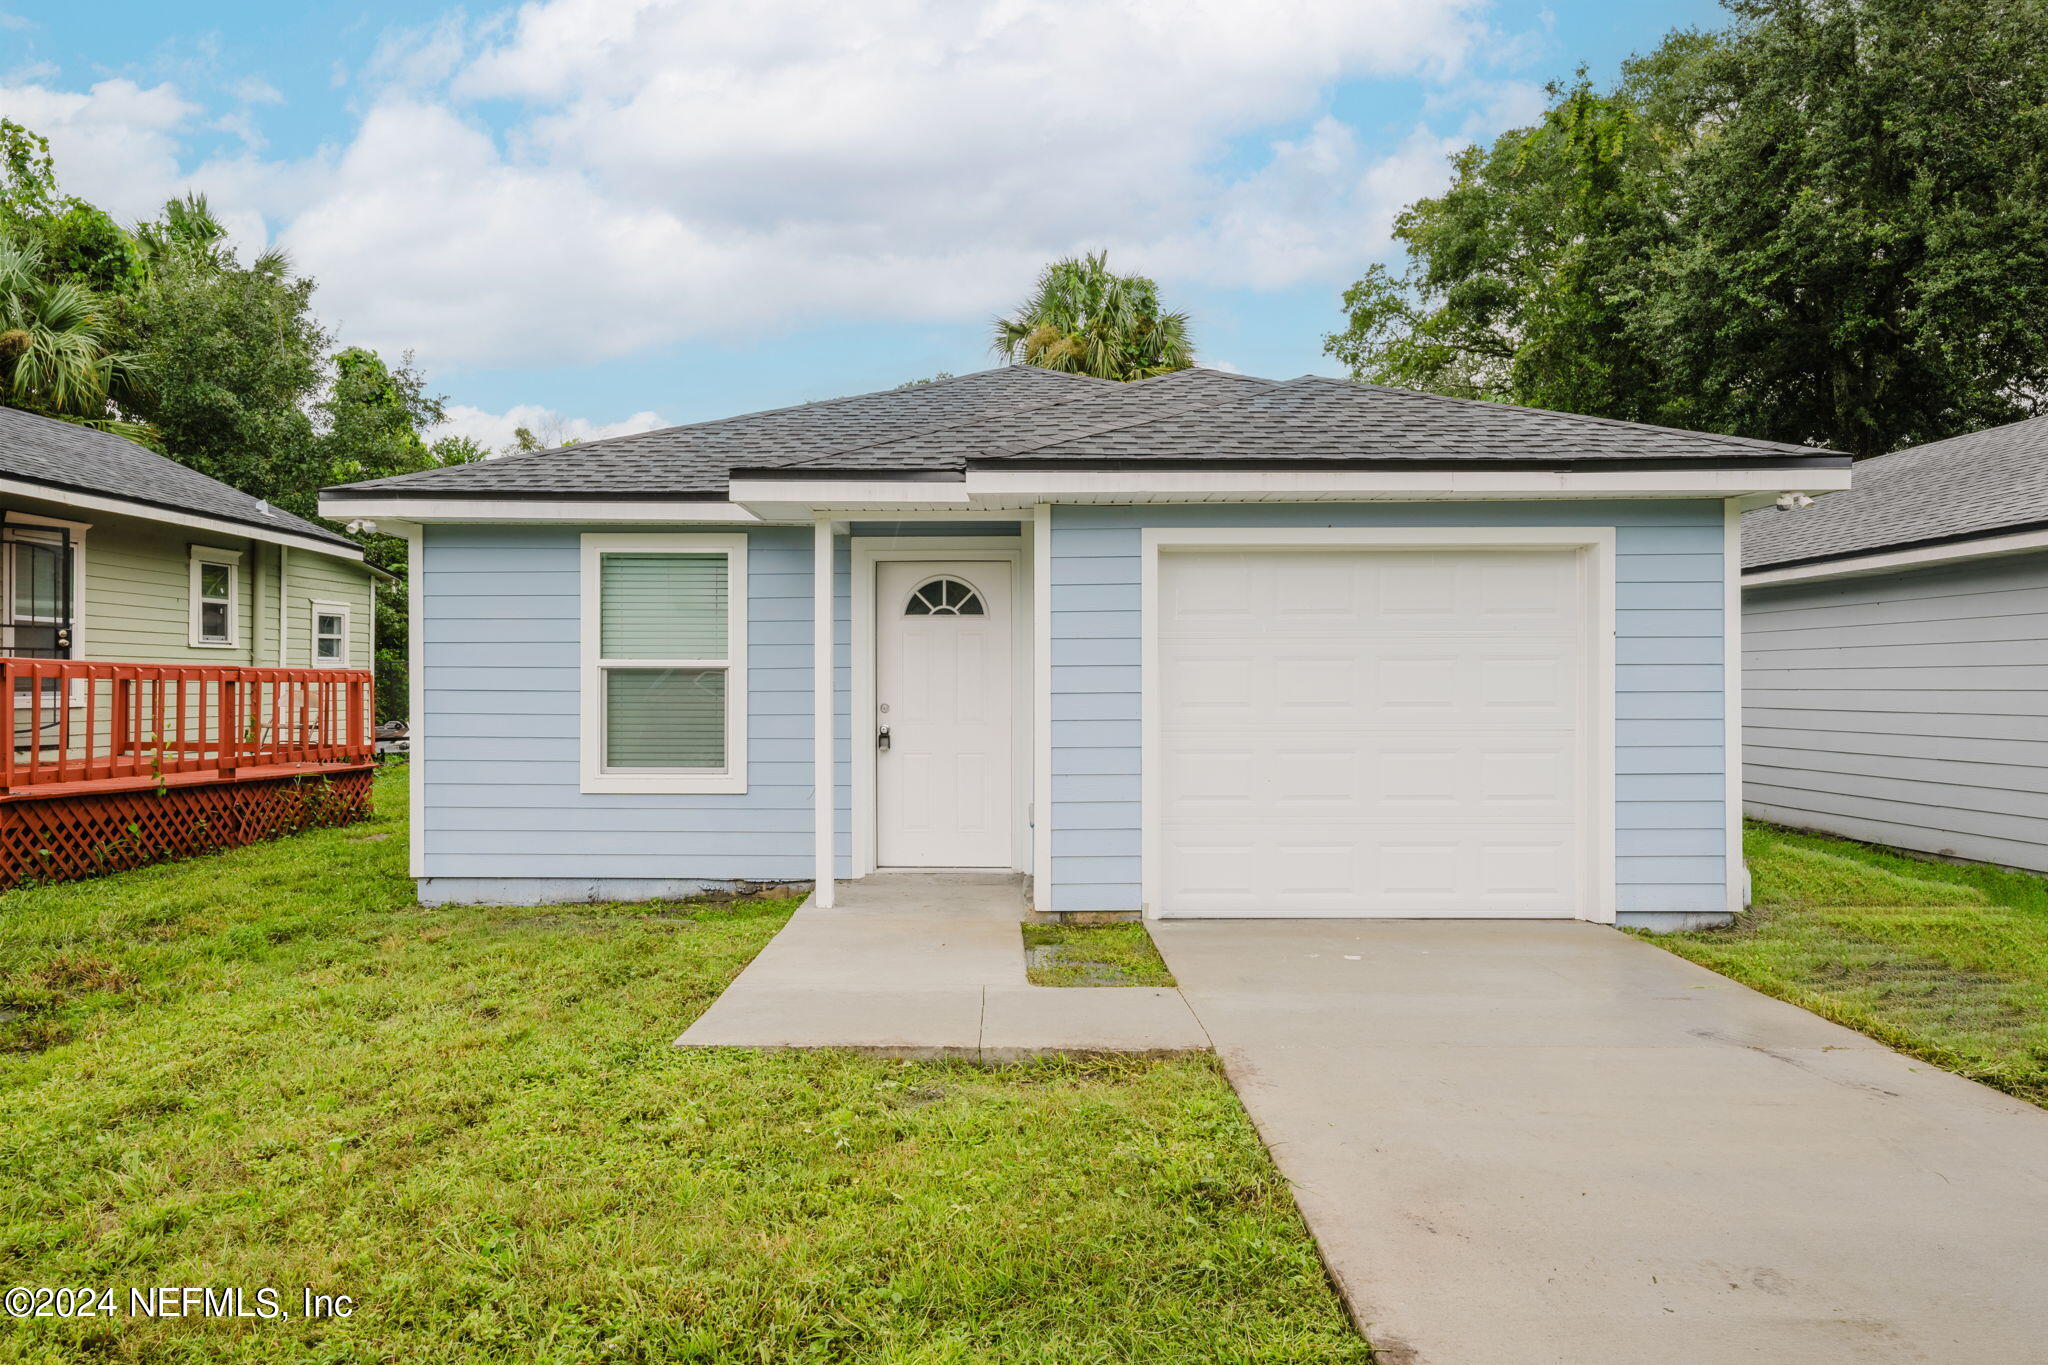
(1025, 488)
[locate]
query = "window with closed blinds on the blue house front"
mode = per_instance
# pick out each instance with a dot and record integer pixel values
(665, 660)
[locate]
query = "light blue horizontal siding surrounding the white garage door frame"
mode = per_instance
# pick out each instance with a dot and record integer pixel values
(1670, 689)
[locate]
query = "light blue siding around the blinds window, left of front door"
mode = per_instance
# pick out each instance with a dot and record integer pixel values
(501, 742)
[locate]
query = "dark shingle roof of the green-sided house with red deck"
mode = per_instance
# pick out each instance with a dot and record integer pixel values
(62, 455)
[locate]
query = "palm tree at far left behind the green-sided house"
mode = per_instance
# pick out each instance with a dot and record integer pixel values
(54, 345)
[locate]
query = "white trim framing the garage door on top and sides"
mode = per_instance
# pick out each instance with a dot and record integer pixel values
(1596, 554)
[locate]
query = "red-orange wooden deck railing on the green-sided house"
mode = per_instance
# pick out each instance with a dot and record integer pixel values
(77, 728)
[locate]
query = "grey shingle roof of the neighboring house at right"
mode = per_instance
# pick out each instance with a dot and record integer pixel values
(1947, 490)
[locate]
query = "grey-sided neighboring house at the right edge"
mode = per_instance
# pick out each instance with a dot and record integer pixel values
(1897, 664)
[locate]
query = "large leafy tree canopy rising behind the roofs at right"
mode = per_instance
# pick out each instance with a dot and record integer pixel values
(1826, 224)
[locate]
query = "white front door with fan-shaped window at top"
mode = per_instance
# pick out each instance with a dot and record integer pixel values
(943, 715)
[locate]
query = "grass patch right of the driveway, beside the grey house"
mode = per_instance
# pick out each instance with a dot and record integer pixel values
(1947, 963)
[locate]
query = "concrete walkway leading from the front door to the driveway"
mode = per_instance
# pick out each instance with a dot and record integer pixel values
(929, 965)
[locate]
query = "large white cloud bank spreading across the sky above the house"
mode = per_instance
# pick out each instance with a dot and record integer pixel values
(671, 171)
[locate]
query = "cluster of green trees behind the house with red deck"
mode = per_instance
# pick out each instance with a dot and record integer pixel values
(161, 333)
